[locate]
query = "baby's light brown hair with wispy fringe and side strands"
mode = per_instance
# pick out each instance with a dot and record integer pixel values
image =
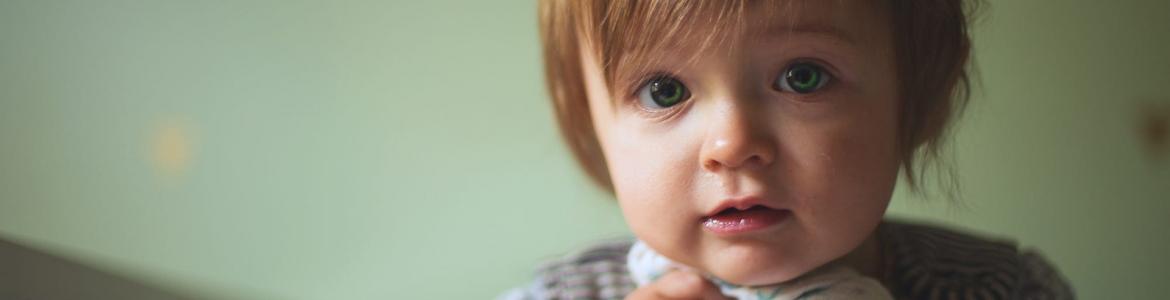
(931, 40)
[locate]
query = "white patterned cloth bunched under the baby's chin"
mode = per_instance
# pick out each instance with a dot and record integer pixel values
(825, 284)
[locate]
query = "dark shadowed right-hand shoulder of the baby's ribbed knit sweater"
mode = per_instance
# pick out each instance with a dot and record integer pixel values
(933, 263)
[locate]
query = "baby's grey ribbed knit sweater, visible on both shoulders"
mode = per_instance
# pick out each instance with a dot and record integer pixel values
(921, 263)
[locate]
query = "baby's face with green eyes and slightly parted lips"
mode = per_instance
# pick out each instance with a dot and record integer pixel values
(761, 161)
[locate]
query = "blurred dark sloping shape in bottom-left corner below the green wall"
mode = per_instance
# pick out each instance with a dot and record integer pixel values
(29, 274)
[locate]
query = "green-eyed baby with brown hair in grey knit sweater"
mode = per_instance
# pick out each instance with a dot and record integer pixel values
(754, 147)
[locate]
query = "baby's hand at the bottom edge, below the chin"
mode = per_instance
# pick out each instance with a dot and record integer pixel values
(678, 285)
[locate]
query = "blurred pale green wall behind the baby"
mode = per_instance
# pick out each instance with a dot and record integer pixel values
(407, 151)
